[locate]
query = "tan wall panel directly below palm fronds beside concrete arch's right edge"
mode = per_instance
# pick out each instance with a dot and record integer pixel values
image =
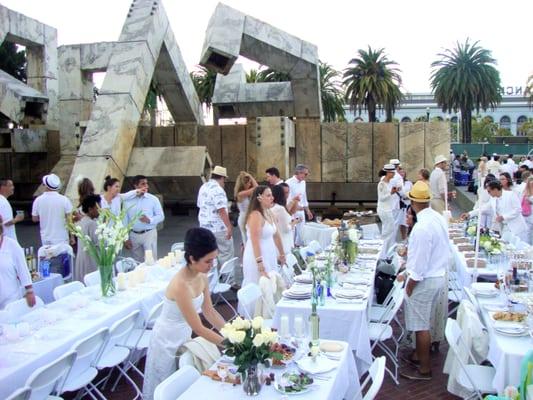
(334, 152)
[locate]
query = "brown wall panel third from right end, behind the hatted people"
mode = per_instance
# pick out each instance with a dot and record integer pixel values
(385, 145)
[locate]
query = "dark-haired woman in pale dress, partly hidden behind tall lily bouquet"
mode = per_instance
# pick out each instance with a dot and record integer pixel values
(84, 262)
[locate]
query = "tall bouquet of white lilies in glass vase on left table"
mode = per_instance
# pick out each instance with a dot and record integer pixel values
(111, 234)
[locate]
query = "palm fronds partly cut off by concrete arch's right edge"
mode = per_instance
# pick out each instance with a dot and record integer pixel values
(331, 93)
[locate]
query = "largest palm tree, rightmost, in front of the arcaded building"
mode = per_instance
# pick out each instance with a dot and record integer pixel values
(465, 78)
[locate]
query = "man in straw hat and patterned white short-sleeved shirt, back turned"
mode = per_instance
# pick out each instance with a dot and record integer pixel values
(213, 215)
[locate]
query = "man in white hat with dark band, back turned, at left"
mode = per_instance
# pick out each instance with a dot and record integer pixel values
(51, 210)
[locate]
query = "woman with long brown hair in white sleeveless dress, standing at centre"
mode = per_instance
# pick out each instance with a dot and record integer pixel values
(263, 237)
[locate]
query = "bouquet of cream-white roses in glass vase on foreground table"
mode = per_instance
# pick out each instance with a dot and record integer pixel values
(250, 343)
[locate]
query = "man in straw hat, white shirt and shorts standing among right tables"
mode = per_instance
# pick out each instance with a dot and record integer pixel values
(427, 261)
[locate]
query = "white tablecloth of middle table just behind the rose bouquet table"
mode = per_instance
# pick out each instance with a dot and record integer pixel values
(339, 320)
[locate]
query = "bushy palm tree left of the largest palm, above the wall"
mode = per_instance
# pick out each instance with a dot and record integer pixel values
(372, 81)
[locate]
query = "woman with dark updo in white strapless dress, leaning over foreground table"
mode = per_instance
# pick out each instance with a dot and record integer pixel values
(186, 296)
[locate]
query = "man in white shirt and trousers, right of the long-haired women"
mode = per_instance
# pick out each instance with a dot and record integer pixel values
(297, 191)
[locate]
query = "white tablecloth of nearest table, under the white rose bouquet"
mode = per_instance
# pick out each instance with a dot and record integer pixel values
(343, 384)
